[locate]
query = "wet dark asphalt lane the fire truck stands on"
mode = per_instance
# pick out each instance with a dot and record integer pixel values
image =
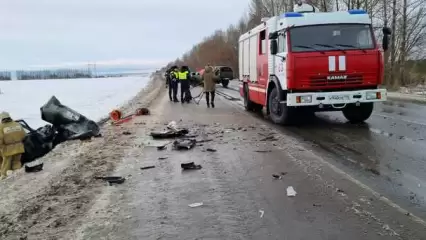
(387, 154)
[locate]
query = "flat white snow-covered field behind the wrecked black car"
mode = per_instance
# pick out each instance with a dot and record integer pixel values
(94, 98)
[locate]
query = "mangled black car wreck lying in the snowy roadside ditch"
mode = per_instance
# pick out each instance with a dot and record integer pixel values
(66, 124)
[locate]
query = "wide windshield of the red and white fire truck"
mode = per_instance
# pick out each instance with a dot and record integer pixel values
(319, 38)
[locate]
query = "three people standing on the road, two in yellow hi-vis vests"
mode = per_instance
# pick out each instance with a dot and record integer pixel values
(182, 76)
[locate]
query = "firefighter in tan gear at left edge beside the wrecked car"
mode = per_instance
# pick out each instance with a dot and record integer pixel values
(11, 147)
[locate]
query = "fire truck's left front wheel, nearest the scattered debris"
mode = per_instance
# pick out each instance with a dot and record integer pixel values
(278, 112)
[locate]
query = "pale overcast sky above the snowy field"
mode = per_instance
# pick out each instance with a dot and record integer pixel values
(39, 33)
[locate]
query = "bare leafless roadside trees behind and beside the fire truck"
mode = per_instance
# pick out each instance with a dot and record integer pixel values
(404, 61)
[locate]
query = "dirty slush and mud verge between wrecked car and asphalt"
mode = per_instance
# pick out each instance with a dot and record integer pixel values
(51, 203)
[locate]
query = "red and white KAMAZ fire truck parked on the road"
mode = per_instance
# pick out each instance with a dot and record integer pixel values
(308, 61)
